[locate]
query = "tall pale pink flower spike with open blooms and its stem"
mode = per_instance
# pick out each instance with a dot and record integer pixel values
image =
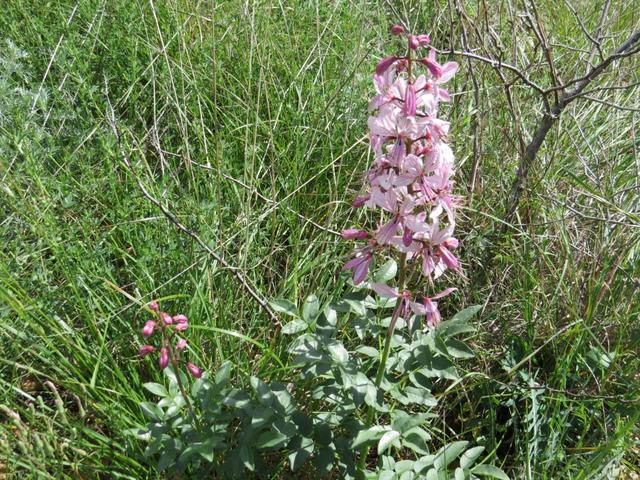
(409, 184)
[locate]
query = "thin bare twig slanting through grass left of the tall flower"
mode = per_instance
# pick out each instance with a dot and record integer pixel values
(264, 305)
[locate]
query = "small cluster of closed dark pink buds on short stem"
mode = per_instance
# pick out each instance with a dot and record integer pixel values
(168, 327)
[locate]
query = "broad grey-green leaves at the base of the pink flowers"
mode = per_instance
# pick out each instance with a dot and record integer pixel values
(235, 430)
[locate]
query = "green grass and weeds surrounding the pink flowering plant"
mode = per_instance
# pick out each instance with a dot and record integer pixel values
(247, 120)
